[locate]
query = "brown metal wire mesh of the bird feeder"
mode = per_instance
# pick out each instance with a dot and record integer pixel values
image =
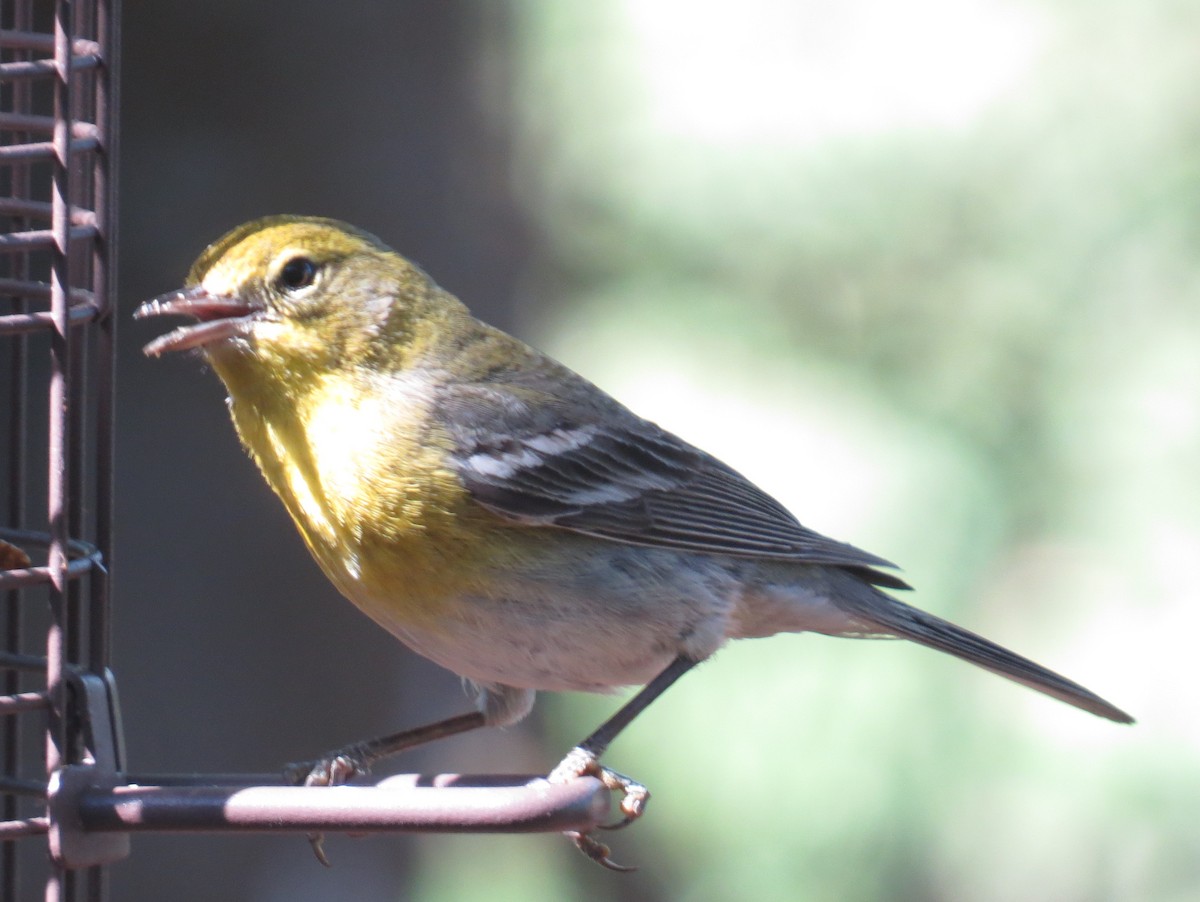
(57, 185)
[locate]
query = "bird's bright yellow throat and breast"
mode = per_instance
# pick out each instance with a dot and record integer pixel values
(369, 488)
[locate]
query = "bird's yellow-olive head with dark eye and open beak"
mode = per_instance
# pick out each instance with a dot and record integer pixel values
(296, 296)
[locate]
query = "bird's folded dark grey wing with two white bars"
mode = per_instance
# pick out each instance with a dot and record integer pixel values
(602, 471)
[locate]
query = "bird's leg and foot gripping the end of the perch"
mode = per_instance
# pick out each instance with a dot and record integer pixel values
(585, 761)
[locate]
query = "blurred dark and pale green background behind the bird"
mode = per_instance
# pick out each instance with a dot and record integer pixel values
(928, 273)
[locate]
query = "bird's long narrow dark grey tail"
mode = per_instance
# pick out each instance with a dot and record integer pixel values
(896, 618)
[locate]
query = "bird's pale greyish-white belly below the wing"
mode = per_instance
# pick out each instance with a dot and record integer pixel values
(611, 617)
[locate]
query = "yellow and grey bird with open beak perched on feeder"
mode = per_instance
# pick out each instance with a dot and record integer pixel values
(500, 514)
